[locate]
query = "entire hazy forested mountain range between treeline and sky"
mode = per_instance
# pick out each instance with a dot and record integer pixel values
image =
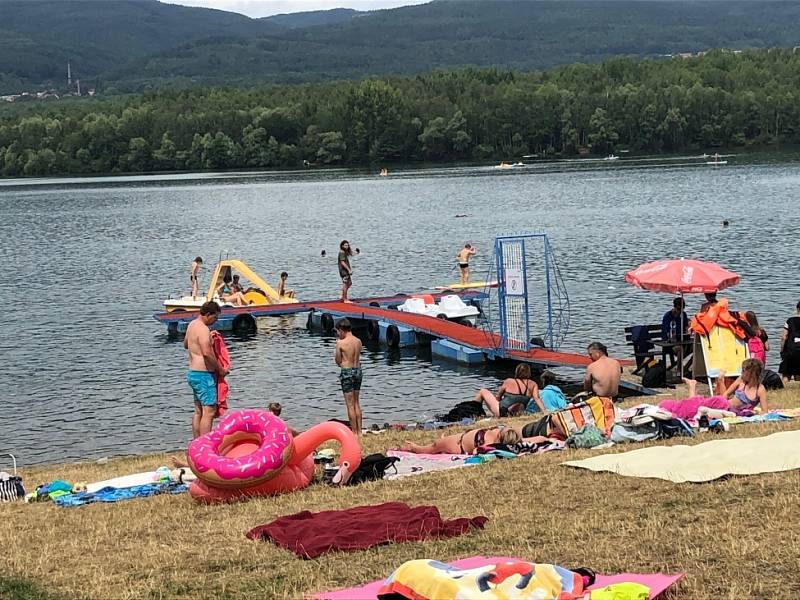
(131, 45)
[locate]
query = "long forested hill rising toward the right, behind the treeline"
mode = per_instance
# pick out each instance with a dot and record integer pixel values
(522, 34)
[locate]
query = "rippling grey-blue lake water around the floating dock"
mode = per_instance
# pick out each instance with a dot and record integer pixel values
(88, 372)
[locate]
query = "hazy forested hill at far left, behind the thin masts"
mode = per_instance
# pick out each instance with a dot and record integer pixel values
(38, 37)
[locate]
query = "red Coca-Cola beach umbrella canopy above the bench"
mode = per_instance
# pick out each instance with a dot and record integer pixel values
(682, 276)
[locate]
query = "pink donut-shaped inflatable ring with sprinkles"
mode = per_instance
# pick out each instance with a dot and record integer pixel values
(248, 447)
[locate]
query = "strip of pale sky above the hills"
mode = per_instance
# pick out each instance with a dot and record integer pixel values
(264, 8)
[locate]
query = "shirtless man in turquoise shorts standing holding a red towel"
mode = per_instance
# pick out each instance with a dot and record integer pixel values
(202, 367)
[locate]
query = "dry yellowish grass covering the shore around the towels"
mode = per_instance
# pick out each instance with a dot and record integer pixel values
(734, 538)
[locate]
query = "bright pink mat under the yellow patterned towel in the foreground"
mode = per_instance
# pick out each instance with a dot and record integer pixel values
(657, 582)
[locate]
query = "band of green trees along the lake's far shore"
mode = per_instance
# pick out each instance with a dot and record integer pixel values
(720, 99)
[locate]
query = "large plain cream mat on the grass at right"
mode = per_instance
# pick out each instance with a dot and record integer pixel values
(703, 462)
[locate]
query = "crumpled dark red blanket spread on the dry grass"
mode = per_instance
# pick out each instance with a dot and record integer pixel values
(310, 534)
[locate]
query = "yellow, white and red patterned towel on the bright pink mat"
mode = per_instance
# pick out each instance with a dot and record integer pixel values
(433, 580)
